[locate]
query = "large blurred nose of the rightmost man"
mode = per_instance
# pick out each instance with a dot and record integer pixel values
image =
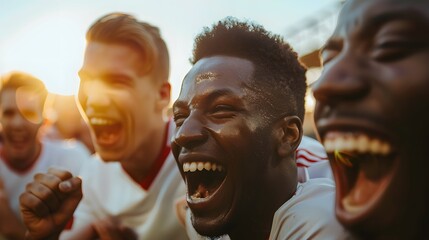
(344, 78)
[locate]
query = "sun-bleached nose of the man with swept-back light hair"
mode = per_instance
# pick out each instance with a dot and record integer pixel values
(93, 94)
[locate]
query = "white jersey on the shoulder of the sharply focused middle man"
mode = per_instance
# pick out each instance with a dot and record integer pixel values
(309, 214)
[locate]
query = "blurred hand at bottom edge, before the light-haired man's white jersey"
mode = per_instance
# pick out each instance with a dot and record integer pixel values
(110, 230)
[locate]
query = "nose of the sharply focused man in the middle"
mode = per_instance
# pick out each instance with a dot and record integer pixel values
(191, 133)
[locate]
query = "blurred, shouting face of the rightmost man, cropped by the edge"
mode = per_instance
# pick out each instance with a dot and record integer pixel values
(371, 115)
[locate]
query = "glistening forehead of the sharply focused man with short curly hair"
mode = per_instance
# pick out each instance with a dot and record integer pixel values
(217, 72)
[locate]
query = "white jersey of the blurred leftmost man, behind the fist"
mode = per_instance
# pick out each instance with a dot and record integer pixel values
(65, 155)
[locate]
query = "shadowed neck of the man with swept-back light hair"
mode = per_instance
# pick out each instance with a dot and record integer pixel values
(139, 164)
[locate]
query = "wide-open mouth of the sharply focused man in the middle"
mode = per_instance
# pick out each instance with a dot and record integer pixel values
(203, 179)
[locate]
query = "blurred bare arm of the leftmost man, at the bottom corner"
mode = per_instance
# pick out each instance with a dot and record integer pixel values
(10, 226)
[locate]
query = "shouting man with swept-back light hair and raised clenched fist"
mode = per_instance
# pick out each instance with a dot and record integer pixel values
(130, 187)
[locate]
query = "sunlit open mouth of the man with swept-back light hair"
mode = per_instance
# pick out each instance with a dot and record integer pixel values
(107, 131)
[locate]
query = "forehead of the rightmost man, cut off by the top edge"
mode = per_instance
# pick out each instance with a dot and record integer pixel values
(357, 14)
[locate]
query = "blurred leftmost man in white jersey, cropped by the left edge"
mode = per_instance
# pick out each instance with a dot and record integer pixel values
(22, 151)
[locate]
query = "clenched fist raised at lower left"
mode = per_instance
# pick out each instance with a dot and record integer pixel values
(48, 203)
